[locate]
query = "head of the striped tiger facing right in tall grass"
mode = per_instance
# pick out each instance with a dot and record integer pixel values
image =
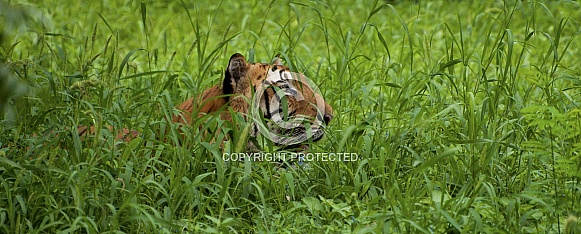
(297, 119)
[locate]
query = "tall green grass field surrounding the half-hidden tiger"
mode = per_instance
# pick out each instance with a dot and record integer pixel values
(465, 115)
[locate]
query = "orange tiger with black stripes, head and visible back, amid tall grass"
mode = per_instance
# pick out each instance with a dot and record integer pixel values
(242, 78)
